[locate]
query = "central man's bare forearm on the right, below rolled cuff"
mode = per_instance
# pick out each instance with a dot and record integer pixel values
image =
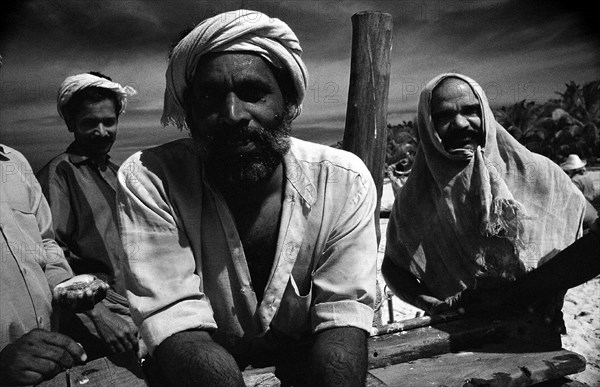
(339, 358)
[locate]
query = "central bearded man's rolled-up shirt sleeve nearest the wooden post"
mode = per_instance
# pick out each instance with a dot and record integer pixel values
(345, 281)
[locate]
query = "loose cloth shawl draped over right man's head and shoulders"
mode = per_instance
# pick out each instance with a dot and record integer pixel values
(497, 211)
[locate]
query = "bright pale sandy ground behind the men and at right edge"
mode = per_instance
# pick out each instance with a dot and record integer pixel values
(581, 312)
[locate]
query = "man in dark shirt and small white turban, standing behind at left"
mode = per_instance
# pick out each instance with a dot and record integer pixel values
(80, 186)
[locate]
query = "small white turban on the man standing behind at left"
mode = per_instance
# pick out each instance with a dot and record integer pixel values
(75, 83)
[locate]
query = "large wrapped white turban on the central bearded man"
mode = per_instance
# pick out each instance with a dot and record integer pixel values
(236, 31)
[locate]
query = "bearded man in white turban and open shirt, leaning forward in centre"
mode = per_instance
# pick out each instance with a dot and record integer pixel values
(252, 247)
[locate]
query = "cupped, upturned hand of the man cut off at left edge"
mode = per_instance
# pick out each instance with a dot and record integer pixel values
(80, 293)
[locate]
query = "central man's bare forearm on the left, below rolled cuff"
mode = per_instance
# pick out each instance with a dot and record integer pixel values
(192, 358)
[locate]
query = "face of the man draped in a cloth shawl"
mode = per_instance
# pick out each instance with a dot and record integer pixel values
(456, 115)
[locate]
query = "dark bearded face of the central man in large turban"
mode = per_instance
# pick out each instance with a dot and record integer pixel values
(236, 111)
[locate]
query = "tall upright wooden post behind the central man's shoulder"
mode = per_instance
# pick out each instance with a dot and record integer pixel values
(366, 115)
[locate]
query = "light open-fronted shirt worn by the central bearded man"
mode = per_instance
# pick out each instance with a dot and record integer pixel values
(186, 267)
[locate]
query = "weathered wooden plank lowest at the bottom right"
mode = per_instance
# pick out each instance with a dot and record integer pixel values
(470, 369)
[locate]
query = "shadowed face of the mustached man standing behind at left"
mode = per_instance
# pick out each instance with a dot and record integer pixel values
(95, 127)
